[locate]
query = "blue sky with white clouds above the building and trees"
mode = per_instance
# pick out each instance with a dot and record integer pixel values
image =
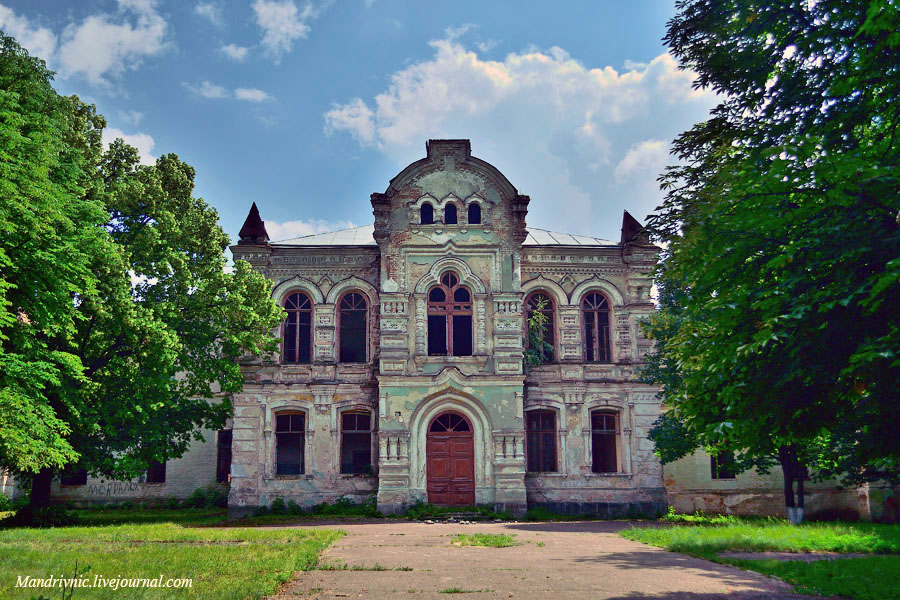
(307, 108)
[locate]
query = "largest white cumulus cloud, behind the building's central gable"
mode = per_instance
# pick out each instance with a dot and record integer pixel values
(559, 129)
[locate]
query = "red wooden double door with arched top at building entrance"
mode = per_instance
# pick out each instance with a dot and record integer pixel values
(450, 452)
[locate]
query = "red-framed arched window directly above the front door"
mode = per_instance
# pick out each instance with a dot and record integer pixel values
(449, 318)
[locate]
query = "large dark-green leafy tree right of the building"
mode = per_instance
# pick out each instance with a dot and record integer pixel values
(784, 235)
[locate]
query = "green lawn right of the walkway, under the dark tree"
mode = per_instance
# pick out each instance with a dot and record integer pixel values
(875, 577)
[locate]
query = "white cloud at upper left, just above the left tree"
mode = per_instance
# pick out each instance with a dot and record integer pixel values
(106, 45)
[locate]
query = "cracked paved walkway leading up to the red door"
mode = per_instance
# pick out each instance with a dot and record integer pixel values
(560, 561)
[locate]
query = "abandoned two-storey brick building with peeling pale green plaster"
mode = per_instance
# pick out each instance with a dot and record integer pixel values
(401, 375)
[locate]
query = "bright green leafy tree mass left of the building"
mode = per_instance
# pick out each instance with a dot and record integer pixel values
(119, 318)
